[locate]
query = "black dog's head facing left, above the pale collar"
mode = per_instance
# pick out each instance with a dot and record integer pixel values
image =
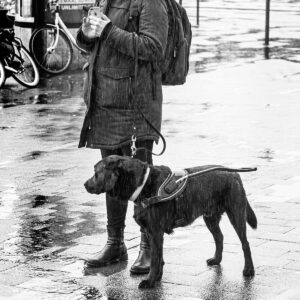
(117, 176)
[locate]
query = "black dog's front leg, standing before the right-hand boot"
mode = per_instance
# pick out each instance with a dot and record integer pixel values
(156, 266)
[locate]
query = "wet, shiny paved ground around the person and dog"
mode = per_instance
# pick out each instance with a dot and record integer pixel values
(238, 114)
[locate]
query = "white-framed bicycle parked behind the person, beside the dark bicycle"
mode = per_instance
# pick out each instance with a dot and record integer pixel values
(51, 45)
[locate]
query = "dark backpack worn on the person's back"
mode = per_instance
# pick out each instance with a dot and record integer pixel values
(175, 65)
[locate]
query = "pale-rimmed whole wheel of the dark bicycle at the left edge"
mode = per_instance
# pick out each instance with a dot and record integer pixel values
(27, 71)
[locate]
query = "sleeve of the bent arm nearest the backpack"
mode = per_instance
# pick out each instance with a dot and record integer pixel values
(152, 33)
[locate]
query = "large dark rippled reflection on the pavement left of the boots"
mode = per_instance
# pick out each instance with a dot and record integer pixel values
(45, 222)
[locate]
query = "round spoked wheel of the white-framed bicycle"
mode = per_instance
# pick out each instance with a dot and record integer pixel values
(57, 60)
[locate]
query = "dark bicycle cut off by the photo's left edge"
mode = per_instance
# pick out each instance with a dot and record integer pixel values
(16, 61)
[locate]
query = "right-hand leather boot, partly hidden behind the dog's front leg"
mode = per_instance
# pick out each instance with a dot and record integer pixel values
(142, 263)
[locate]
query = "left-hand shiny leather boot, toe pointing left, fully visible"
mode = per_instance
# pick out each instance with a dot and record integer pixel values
(113, 252)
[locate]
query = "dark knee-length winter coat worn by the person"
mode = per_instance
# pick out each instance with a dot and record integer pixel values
(110, 111)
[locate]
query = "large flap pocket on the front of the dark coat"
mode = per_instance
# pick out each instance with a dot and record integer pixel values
(113, 87)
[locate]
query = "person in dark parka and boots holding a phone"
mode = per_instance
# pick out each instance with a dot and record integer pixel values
(111, 112)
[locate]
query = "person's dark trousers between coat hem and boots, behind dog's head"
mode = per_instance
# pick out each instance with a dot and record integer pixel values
(116, 210)
